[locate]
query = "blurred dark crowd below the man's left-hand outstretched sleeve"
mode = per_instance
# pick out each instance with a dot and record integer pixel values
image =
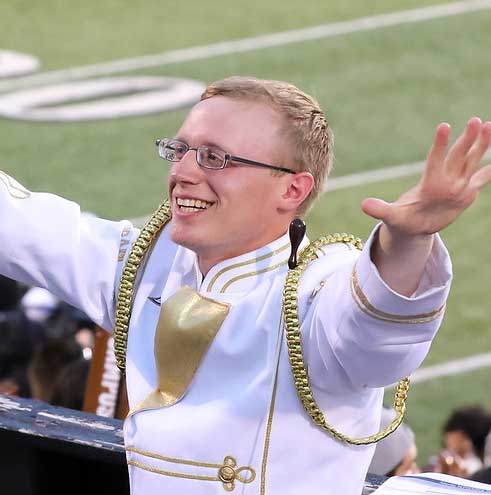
(45, 346)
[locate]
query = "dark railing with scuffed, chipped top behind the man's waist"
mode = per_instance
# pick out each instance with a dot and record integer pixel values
(47, 450)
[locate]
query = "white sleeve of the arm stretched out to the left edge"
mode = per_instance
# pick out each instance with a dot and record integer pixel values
(45, 241)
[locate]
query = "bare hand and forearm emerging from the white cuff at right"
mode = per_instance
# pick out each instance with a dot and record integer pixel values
(450, 183)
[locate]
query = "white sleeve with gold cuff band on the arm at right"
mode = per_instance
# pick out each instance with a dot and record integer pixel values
(361, 331)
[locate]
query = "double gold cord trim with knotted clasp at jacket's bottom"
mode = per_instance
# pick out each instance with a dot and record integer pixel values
(227, 472)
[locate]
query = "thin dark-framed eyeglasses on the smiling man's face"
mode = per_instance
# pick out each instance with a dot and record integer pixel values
(206, 156)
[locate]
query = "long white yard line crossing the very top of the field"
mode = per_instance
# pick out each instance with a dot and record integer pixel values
(251, 44)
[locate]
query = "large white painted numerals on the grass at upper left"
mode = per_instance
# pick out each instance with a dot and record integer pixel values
(91, 99)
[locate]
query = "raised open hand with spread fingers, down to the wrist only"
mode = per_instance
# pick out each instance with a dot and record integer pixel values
(450, 183)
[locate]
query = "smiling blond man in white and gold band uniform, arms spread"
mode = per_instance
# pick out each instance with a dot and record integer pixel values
(200, 305)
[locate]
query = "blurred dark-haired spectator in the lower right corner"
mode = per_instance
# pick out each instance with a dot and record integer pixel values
(464, 436)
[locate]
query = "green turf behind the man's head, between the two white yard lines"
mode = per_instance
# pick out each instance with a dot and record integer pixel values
(383, 101)
